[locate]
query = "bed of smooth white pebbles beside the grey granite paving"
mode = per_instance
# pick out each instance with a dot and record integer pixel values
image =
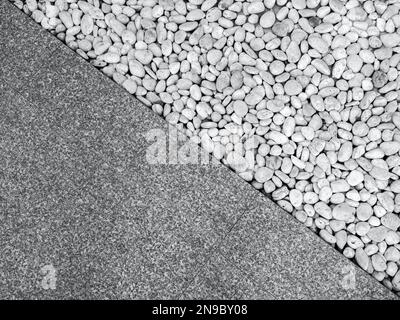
(299, 97)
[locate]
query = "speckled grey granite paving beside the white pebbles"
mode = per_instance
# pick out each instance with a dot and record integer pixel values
(77, 195)
